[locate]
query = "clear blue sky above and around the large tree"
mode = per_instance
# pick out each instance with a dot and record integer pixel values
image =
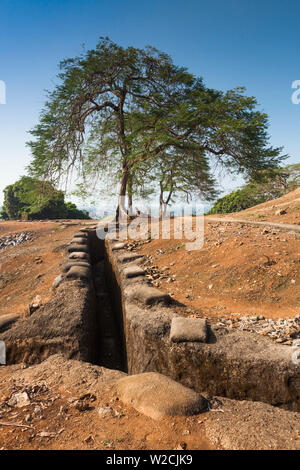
(230, 43)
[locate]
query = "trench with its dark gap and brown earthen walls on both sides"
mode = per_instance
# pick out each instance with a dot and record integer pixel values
(94, 322)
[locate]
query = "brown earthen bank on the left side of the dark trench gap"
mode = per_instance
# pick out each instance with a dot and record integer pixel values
(58, 326)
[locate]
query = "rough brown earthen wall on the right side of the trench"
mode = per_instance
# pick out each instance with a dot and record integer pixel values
(239, 365)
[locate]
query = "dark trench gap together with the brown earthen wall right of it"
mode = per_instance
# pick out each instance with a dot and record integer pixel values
(137, 344)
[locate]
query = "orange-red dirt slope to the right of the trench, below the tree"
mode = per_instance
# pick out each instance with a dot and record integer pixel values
(251, 270)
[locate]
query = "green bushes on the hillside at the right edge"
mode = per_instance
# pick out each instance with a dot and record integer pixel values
(262, 187)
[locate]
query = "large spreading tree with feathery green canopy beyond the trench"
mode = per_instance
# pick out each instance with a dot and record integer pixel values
(116, 108)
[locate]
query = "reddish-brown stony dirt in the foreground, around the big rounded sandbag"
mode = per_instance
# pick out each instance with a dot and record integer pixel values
(67, 404)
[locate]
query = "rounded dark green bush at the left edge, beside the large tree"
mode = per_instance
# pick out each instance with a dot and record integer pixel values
(37, 200)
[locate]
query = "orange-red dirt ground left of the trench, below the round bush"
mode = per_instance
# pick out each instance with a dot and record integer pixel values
(29, 269)
